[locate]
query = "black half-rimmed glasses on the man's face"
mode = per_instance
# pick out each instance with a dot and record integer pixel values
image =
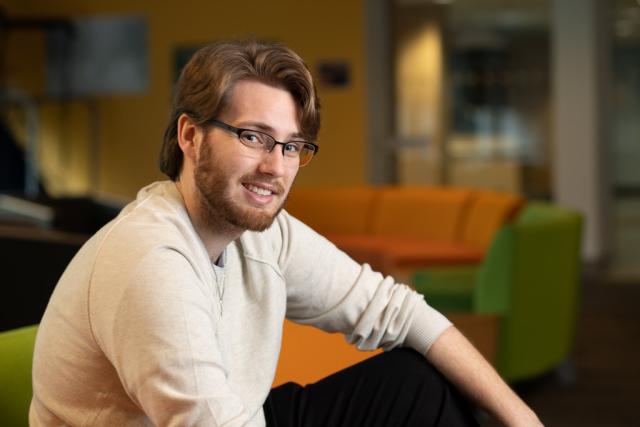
(295, 150)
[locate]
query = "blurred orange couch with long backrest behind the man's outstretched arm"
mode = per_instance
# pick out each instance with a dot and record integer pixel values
(403, 228)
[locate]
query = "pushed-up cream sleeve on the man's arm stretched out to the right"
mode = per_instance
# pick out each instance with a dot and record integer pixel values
(329, 290)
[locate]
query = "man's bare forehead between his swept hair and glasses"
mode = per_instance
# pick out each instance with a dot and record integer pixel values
(252, 101)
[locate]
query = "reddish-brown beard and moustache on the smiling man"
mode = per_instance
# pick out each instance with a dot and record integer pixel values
(219, 211)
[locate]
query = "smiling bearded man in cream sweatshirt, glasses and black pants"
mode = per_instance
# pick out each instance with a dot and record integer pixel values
(172, 314)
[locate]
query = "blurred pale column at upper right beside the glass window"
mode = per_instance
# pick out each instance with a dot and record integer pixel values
(581, 60)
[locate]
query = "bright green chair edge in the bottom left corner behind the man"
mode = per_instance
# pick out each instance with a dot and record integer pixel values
(16, 355)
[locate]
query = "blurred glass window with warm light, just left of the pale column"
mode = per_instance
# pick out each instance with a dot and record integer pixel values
(472, 92)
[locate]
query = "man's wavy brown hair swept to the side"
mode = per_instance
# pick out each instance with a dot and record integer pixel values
(205, 82)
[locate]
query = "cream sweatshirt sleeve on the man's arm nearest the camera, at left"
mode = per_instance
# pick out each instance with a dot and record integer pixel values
(158, 331)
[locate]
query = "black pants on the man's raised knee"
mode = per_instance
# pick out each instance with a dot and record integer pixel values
(398, 388)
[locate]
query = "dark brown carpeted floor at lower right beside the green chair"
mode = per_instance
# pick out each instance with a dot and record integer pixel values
(606, 363)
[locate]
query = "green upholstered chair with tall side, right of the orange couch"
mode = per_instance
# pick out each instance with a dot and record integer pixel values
(530, 278)
